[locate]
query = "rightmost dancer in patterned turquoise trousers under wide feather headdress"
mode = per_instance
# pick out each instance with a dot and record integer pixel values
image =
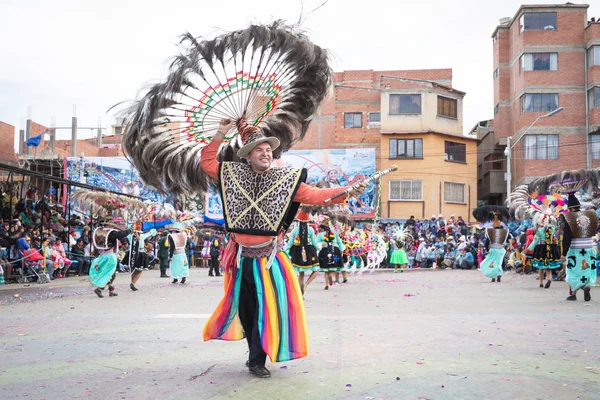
(578, 229)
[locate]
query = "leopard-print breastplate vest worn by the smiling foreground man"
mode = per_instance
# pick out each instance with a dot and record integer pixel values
(258, 204)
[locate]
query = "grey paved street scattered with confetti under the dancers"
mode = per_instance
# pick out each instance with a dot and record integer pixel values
(412, 335)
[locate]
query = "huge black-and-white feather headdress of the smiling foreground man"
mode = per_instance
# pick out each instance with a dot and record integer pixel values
(271, 76)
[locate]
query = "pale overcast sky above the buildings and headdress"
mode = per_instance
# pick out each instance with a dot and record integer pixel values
(57, 53)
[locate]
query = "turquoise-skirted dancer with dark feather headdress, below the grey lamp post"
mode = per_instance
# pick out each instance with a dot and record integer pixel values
(497, 233)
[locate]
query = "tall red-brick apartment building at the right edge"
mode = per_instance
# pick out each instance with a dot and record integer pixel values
(546, 57)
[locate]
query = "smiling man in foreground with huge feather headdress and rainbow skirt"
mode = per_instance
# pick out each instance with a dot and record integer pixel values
(232, 104)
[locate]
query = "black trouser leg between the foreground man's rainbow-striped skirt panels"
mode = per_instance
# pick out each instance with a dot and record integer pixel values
(248, 312)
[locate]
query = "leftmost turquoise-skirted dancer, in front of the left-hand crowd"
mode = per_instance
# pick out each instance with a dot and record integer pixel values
(103, 269)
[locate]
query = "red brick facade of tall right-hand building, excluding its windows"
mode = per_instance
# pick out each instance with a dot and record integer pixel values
(568, 81)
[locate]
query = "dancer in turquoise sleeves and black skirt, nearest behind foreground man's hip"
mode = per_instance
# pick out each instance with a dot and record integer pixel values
(302, 249)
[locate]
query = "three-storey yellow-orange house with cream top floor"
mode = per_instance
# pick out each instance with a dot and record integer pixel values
(421, 133)
